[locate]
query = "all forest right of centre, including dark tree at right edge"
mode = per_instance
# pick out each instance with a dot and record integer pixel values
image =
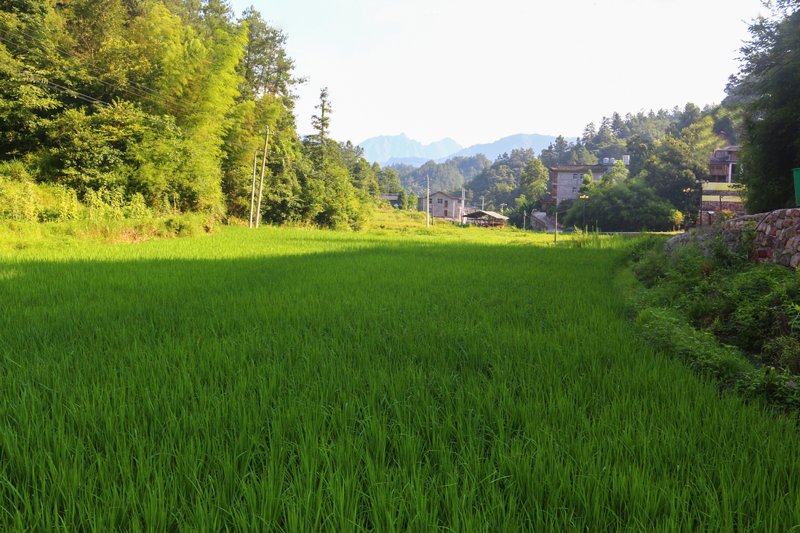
(669, 149)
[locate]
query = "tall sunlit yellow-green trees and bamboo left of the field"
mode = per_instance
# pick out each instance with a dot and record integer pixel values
(165, 101)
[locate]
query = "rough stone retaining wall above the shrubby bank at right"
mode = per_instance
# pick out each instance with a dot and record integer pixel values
(777, 235)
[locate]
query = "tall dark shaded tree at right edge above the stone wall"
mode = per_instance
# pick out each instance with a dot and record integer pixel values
(768, 89)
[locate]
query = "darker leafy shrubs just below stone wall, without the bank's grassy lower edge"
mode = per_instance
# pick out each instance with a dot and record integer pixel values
(753, 307)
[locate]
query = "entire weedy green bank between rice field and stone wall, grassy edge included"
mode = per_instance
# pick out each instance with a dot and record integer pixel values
(723, 315)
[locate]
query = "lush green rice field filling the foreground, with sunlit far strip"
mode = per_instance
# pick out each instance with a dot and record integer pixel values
(302, 380)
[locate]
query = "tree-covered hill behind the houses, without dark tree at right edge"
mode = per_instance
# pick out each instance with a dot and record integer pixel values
(669, 151)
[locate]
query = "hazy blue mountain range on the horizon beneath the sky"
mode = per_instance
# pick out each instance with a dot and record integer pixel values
(396, 149)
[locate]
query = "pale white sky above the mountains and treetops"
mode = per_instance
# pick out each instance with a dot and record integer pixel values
(477, 71)
